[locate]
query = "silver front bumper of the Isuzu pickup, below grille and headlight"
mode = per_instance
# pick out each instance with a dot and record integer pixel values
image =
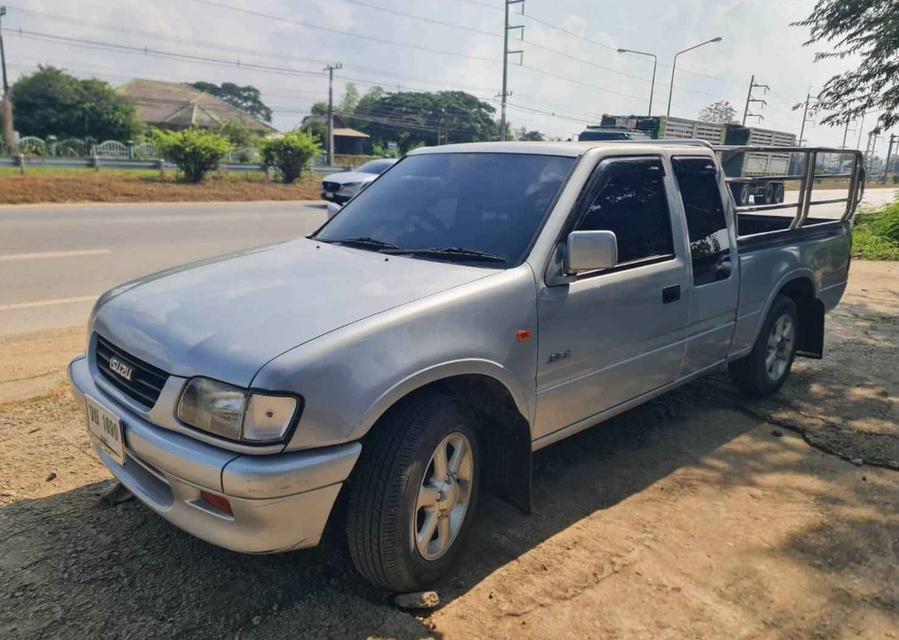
(279, 502)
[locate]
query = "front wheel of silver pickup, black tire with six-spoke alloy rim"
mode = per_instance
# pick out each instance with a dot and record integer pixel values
(398, 471)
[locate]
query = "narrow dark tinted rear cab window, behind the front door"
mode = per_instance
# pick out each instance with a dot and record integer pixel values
(707, 227)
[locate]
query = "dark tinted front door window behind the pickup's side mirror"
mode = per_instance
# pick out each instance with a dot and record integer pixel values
(630, 201)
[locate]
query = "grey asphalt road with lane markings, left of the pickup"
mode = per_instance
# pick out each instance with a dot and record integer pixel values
(55, 260)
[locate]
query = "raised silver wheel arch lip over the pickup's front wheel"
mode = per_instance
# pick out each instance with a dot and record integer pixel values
(434, 373)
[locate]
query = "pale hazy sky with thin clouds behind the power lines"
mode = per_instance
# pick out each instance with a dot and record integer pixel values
(569, 74)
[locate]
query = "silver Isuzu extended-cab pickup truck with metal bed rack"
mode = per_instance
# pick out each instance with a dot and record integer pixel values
(474, 304)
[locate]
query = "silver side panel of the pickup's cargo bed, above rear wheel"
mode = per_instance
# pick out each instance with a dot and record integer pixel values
(820, 253)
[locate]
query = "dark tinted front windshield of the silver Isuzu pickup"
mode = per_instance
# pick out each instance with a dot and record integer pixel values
(481, 208)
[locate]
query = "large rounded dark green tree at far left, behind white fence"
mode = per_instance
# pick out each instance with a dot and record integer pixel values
(52, 102)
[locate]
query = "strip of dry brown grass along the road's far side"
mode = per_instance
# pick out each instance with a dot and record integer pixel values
(89, 186)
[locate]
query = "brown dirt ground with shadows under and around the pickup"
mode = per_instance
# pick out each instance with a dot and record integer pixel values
(700, 515)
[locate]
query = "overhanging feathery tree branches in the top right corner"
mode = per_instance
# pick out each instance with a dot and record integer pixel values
(868, 29)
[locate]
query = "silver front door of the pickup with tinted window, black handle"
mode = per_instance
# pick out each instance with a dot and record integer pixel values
(612, 335)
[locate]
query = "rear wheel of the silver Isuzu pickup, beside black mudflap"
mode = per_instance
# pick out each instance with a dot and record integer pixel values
(764, 370)
